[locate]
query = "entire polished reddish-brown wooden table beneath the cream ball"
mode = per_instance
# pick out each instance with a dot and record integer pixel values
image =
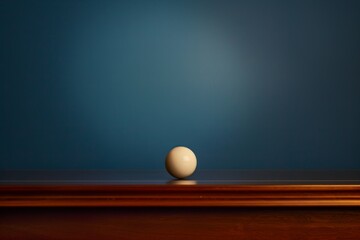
(210, 205)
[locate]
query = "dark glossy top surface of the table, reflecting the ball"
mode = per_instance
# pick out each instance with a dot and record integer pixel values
(160, 177)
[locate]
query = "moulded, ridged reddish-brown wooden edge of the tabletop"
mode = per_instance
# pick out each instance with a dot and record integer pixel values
(179, 196)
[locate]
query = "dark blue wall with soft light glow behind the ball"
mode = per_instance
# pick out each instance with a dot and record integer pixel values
(115, 84)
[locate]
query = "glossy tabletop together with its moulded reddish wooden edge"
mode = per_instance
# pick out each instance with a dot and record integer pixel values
(105, 188)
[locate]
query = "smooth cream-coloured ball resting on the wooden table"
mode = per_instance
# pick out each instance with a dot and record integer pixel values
(180, 162)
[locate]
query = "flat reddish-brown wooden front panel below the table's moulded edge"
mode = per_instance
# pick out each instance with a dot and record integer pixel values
(181, 223)
